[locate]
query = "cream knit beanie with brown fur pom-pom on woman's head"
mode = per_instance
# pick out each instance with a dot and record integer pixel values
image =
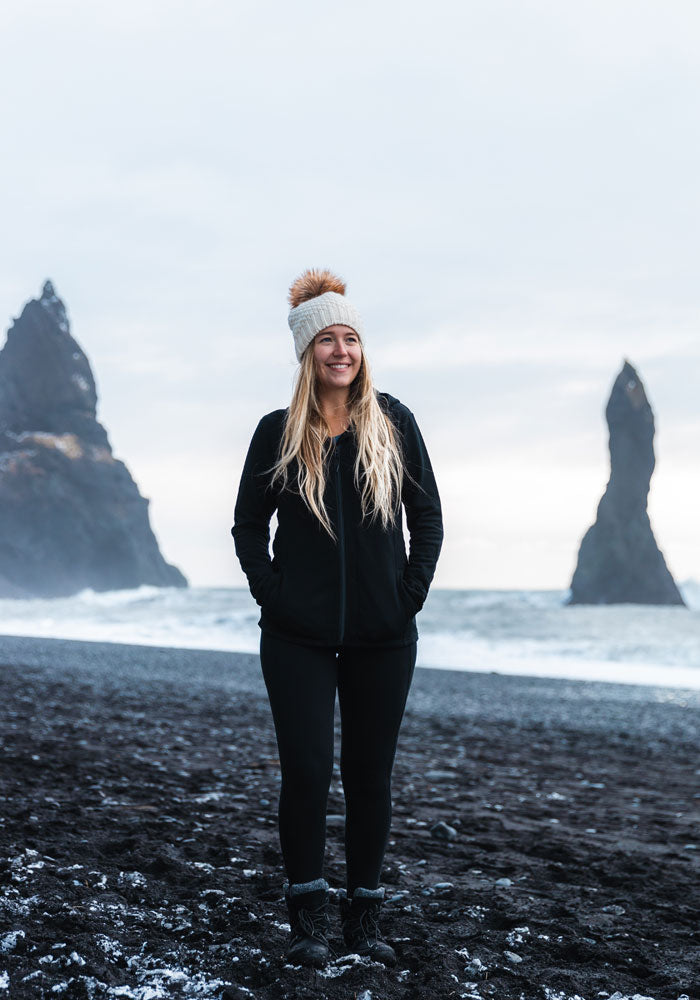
(317, 298)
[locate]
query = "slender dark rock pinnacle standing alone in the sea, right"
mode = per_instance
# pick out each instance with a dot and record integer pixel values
(619, 561)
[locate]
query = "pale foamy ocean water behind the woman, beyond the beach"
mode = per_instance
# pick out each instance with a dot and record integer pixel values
(529, 632)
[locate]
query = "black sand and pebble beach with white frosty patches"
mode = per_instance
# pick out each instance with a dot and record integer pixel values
(139, 854)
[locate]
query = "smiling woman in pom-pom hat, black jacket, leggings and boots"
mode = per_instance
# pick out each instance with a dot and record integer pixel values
(338, 603)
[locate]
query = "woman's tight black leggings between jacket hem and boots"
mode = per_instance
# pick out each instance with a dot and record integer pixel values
(372, 687)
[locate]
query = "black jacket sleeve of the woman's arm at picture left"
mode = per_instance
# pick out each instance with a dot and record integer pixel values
(255, 505)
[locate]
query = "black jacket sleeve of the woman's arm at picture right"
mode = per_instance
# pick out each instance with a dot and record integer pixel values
(423, 512)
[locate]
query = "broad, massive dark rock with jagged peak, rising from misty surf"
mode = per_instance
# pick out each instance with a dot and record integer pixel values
(71, 516)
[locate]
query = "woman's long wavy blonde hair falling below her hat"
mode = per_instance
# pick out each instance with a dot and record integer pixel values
(379, 465)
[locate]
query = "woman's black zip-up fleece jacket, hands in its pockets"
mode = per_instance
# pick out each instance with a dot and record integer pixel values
(361, 590)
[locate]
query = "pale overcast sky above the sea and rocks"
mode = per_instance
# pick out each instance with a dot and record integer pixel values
(510, 190)
